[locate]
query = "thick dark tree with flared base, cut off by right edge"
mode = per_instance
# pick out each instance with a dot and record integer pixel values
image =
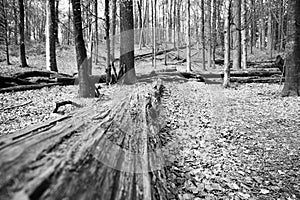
(292, 83)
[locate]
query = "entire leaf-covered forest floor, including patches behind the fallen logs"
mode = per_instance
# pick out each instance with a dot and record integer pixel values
(237, 143)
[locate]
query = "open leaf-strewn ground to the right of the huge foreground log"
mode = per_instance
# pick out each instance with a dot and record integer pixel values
(233, 144)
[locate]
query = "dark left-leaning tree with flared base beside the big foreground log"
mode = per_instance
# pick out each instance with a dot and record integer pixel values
(86, 89)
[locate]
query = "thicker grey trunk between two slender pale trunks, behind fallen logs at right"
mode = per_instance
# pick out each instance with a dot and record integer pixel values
(237, 35)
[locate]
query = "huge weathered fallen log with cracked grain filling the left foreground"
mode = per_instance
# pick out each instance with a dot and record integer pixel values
(99, 152)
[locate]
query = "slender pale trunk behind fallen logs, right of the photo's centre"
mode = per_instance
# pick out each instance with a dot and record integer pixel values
(188, 36)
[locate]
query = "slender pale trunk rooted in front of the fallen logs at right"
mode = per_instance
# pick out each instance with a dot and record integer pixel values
(226, 80)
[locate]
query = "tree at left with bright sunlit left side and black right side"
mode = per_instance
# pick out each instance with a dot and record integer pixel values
(51, 64)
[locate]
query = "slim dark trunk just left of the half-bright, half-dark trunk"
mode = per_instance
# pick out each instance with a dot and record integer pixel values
(22, 35)
